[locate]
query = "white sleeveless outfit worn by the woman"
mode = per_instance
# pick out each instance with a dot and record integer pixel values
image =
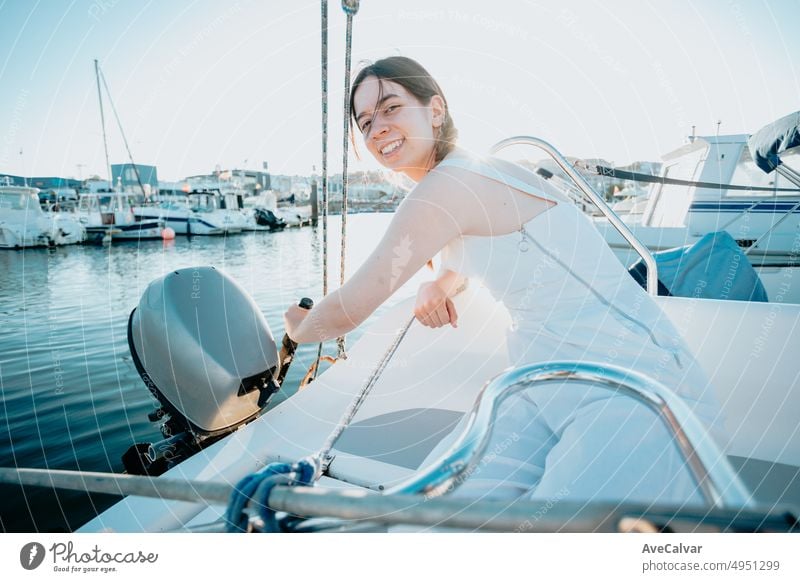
(570, 298)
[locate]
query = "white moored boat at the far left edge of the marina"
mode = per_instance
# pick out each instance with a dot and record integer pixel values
(24, 224)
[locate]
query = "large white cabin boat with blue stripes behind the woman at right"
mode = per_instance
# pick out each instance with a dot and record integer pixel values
(762, 215)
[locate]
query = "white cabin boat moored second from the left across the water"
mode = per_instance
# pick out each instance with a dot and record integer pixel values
(110, 216)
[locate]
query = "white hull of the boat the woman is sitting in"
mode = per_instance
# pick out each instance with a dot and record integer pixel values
(433, 379)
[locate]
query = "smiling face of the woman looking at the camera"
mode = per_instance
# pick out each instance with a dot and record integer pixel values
(398, 130)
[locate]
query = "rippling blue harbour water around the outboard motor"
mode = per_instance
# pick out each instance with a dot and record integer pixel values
(71, 396)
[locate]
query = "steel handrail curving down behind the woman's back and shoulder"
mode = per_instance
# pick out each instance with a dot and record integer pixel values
(580, 181)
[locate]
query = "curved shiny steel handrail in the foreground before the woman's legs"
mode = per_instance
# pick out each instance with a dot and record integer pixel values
(715, 476)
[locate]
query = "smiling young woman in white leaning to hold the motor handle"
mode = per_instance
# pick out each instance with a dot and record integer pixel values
(569, 298)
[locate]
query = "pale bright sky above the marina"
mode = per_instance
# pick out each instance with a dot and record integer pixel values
(200, 83)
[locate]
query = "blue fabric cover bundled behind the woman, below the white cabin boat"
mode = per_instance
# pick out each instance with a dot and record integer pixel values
(712, 268)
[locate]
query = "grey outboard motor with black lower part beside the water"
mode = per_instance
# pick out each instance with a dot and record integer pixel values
(204, 350)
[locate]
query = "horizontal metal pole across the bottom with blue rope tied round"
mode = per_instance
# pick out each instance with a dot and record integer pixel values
(367, 507)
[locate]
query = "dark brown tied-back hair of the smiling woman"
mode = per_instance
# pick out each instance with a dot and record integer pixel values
(413, 77)
